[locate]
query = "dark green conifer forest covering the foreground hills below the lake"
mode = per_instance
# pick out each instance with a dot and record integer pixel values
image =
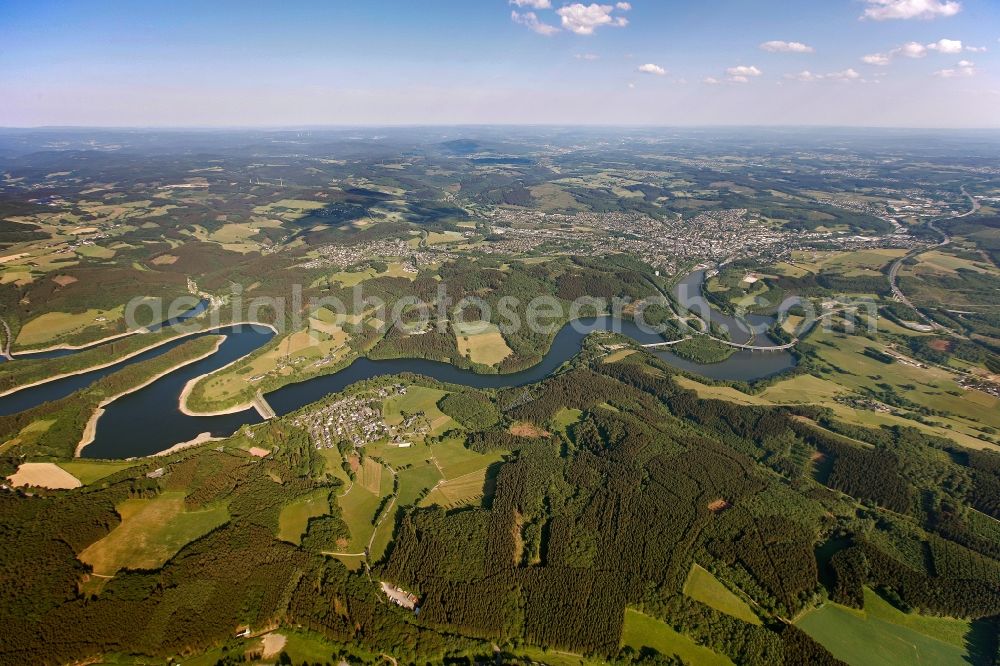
(625, 481)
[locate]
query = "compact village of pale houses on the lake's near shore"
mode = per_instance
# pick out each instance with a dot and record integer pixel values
(357, 419)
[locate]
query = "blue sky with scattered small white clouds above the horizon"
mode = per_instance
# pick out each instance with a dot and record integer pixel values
(915, 63)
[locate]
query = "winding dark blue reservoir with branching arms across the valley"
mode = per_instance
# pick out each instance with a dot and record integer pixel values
(150, 420)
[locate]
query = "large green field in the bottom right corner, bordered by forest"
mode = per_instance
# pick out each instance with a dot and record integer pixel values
(881, 634)
